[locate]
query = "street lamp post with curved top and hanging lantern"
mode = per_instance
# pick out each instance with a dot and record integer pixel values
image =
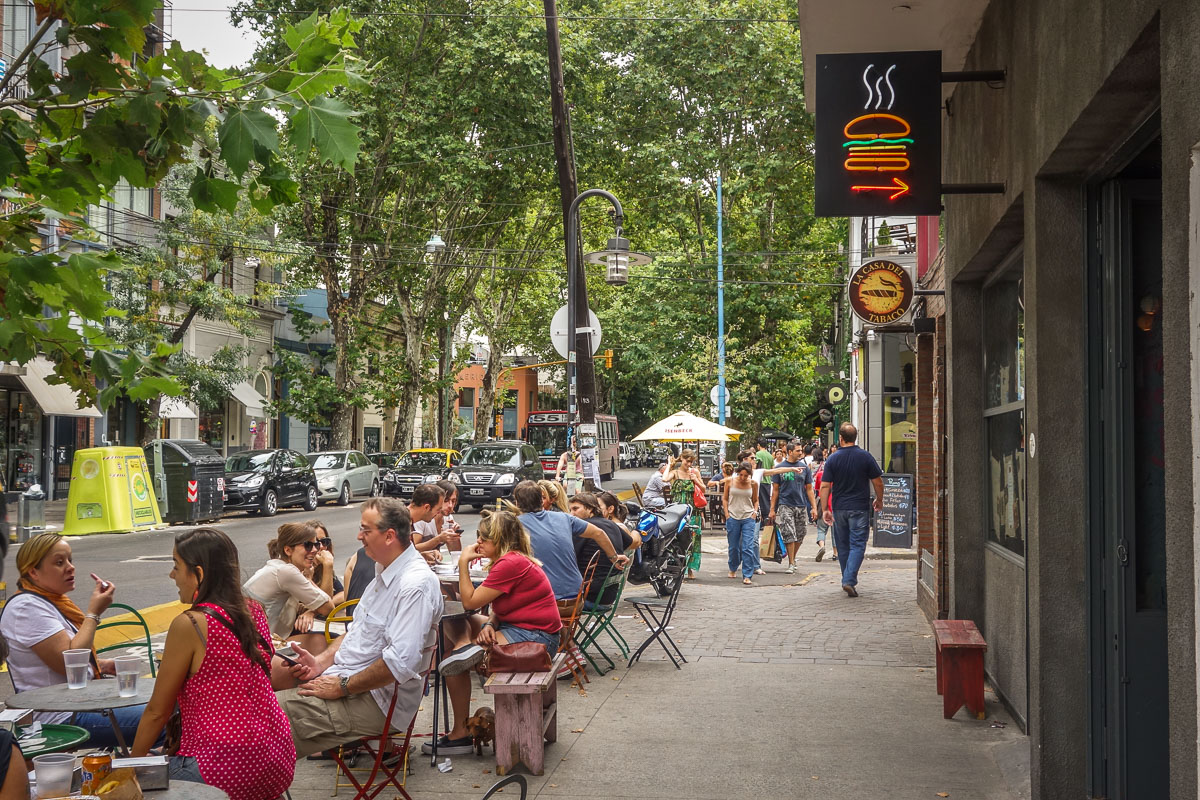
(619, 258)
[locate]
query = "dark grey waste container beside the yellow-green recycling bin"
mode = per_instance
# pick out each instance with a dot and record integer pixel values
(189, 480)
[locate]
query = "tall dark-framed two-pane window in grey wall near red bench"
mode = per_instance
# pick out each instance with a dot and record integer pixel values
(1004, 359)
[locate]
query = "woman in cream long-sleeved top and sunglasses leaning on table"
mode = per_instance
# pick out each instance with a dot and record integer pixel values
(286, 592)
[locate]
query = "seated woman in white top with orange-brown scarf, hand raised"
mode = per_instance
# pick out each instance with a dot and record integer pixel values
(41, 622)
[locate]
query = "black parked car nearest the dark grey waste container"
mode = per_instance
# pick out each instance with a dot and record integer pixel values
(267, 480)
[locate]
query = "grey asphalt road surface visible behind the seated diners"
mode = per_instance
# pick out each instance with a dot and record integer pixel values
(140, 563)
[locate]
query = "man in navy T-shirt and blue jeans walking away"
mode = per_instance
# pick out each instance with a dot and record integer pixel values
(849, 478)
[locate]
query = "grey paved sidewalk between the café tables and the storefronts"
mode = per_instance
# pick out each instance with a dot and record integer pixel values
(793, 690)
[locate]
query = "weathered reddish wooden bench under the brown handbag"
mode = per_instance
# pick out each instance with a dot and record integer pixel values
(526, 717)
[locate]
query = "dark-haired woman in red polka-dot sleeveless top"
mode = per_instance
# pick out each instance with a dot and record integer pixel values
(217, 666)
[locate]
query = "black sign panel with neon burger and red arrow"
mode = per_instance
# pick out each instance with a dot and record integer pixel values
(879, 134)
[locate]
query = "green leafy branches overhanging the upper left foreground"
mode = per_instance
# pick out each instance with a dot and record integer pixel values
(67, 140)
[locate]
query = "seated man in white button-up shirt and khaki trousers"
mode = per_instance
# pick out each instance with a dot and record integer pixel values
(349, 688)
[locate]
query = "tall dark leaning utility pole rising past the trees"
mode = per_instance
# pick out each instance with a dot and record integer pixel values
(581, 393)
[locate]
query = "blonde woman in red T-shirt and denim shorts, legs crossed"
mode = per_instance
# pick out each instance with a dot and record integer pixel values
(523, 610)
